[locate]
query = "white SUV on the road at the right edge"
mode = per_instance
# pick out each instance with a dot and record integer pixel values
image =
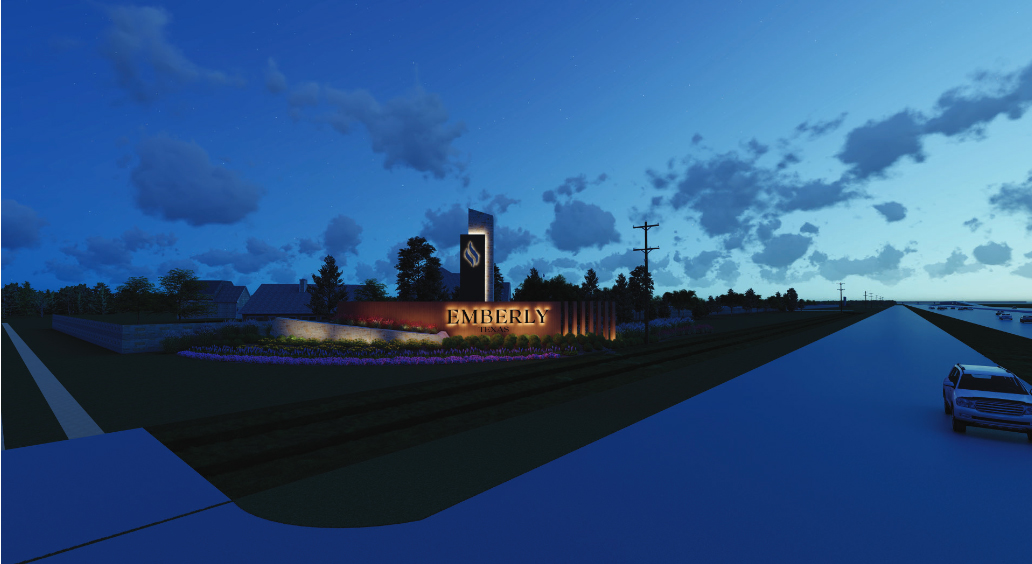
(988, 396)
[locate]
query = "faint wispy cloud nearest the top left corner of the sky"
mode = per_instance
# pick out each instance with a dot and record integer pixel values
(137, 47)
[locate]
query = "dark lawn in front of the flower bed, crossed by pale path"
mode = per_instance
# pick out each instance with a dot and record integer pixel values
(124, 392)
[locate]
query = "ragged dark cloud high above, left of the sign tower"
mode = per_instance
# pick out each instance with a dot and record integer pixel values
(410, 131)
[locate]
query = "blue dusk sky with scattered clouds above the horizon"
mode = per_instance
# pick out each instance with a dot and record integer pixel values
(801, 145)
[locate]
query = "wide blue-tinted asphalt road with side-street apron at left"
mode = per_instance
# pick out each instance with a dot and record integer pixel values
(838, 452)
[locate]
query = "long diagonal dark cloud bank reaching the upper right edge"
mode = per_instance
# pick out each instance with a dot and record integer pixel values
(878, 145)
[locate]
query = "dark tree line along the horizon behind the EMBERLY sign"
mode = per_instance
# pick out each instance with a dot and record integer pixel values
(420, 279)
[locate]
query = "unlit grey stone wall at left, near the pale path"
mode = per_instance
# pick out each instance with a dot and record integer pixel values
(126, 339)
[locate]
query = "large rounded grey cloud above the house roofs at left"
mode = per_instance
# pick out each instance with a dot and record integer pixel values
(176, 181)
